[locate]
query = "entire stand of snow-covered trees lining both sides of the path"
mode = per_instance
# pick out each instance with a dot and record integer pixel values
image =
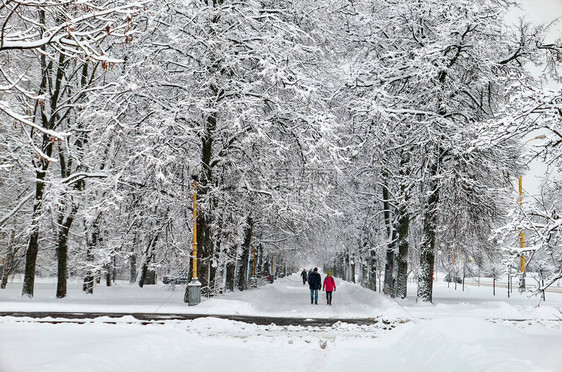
(370, 133)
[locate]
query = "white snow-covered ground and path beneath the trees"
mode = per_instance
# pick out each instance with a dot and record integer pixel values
(462, 331)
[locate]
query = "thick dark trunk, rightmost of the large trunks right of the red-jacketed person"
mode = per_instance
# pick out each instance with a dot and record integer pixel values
(427, 249)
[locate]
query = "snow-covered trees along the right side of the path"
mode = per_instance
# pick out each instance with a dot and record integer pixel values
(437, 173)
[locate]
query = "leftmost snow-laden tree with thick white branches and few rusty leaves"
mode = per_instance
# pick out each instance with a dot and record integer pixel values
(46, 49)
